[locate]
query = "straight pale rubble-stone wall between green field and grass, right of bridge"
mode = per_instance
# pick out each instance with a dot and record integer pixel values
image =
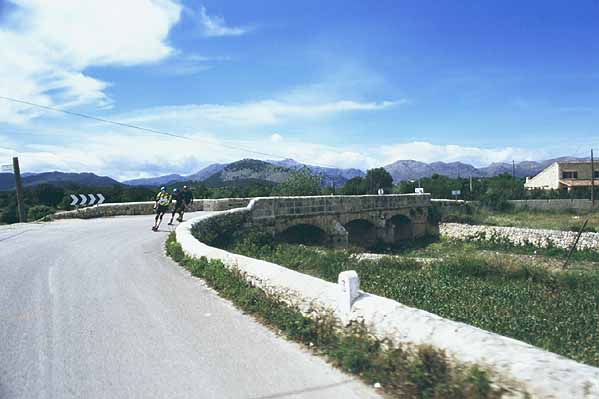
(519, 236)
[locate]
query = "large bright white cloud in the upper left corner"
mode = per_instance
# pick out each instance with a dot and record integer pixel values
(46, 47)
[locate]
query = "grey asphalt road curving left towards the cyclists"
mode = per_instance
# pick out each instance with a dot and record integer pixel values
(94, 309)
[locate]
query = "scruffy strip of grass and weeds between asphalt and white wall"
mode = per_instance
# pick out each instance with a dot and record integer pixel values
(404, 372)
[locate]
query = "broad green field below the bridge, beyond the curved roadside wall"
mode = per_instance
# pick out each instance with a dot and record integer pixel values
(556, 311)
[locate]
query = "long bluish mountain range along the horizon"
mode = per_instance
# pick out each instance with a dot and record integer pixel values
(272, 171)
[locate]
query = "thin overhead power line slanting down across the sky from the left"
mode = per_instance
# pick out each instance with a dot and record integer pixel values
(154, 131)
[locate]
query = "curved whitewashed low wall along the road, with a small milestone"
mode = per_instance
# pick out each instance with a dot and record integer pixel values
(515, 364)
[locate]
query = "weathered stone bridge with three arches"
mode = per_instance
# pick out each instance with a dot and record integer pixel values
(342, 220)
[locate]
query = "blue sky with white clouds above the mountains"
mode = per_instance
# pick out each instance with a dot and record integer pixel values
(338, 83)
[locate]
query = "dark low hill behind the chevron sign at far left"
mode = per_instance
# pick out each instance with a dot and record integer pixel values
(7, 181)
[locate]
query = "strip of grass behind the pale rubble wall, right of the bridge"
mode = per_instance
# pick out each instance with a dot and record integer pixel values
(534, 219)
